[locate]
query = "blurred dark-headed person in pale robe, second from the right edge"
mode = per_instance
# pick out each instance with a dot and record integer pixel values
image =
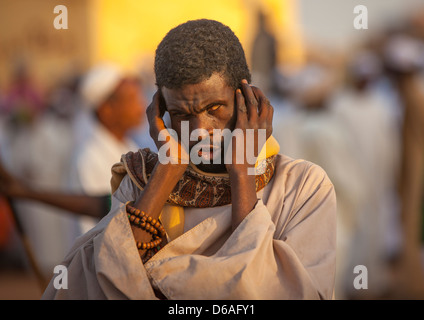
(369, 120)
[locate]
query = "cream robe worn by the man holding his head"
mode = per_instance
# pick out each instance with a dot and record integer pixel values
(285, 248)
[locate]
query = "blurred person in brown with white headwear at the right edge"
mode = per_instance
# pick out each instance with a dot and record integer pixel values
(403, 55)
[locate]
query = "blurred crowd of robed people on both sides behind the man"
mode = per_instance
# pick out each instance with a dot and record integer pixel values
(361, 118)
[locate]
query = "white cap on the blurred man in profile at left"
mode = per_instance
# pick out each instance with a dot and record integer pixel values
(99, 83)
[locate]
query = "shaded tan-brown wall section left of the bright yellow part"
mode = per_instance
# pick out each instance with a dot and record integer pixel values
(27, 34)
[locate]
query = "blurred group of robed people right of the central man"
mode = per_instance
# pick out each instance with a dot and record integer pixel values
(361, 118)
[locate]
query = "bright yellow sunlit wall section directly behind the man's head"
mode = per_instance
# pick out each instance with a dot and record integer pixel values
(128, 31)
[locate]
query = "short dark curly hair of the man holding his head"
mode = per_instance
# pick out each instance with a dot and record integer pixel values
(191, 52)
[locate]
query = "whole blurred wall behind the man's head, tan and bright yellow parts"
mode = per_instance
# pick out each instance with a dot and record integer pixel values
(124, 31)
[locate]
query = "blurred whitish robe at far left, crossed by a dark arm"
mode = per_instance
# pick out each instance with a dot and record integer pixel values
(39, 155)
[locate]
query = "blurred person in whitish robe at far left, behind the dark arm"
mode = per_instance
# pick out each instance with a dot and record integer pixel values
(36, 146)
